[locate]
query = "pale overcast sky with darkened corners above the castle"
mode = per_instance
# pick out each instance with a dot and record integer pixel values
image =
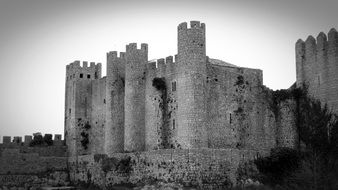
(38, 38)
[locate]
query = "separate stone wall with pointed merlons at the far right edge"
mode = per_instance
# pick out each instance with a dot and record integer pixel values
(316, 62)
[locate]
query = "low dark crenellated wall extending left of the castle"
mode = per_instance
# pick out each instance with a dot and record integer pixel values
(31, 167)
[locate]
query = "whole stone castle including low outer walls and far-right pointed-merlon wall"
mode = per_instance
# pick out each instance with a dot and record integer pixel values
(188, 118)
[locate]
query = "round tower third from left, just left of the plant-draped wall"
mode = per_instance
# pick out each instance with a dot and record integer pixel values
(134, 102)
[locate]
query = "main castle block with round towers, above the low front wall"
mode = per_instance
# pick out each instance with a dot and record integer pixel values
(179, 102)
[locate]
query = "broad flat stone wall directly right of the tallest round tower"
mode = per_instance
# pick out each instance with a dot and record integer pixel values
(238, 114)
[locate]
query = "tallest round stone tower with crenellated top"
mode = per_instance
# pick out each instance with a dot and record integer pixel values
(191, 83)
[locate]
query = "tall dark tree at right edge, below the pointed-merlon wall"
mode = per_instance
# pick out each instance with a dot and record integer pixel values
(318, 131)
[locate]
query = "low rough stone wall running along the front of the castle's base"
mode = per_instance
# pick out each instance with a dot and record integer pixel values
(202, 168)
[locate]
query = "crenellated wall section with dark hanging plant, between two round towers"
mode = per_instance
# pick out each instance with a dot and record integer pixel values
(161, 105)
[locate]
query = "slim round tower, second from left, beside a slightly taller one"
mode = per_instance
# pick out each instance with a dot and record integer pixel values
(114, 129)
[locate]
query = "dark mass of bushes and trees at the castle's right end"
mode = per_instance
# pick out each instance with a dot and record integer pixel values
(315, 164)
